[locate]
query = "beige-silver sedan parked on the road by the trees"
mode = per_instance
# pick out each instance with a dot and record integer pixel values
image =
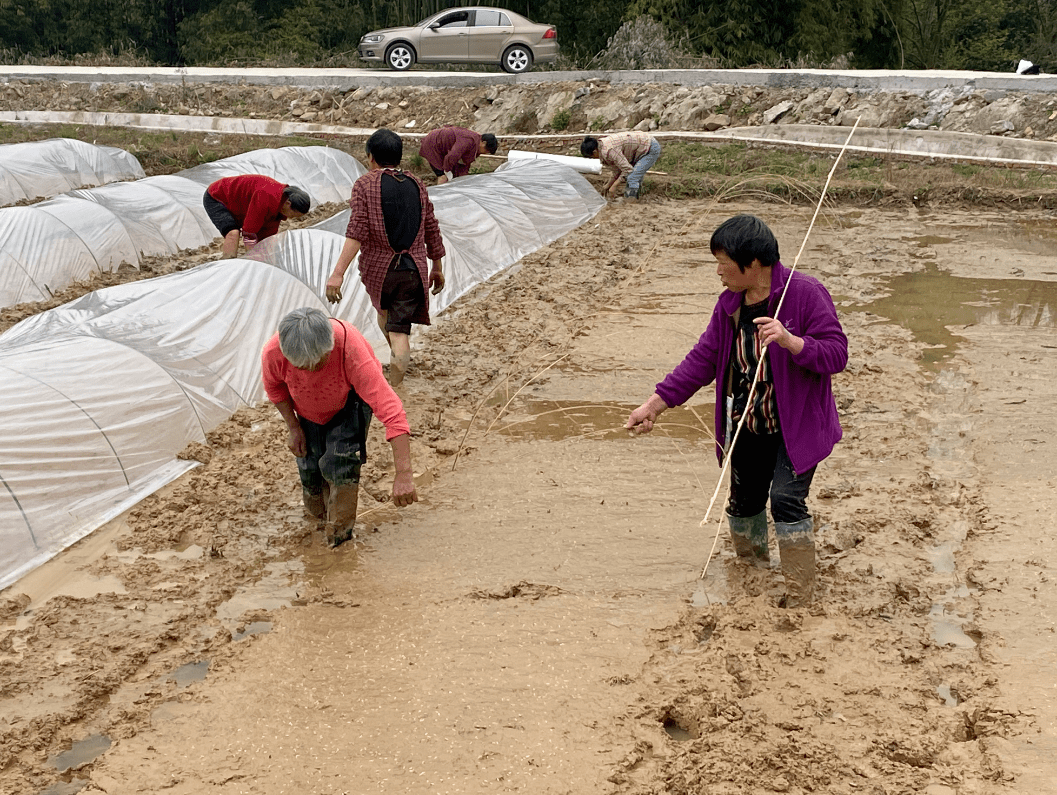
(471, 35)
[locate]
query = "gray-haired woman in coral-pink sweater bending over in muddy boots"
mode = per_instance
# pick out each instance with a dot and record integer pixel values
(326, 381)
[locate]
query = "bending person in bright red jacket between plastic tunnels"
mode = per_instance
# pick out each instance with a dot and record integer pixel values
(254, 206)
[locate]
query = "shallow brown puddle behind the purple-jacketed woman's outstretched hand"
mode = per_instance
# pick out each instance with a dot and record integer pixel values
(558, 421)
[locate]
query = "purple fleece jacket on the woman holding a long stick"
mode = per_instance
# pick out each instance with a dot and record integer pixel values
(807, 412)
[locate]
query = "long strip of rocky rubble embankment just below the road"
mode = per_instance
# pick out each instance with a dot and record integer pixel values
(594, 105)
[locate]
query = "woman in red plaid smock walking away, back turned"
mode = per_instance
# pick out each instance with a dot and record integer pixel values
(394, 229)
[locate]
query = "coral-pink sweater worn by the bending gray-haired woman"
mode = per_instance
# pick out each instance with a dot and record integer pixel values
(318, 396)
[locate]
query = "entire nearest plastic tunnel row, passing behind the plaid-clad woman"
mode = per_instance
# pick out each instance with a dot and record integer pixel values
(98, 397)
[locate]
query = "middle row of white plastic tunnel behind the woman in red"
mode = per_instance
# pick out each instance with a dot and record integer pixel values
(46, 247)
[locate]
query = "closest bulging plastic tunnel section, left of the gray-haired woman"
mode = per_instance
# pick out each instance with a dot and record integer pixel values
(100, 396)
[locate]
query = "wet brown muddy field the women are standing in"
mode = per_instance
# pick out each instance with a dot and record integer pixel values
(541, 623)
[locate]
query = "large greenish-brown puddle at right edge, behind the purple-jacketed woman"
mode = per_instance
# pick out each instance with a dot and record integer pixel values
(929, 302)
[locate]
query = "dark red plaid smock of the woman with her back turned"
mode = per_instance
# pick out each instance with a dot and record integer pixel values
(368, 226)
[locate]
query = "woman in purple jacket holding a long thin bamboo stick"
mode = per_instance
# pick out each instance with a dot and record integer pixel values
(792, 423)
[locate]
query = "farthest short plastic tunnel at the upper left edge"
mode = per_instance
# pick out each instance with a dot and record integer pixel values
(41, 170)
